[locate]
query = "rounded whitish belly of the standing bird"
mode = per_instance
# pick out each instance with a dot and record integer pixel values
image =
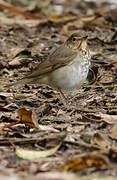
(71, 76)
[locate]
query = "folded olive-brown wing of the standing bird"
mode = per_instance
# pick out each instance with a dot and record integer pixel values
(60, 57)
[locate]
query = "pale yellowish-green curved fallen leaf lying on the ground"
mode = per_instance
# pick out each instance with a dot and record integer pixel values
(32, 155)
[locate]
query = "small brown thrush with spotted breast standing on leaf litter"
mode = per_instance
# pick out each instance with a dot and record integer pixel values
(65, 69)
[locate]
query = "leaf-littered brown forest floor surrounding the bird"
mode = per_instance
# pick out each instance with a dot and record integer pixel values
(74, 143)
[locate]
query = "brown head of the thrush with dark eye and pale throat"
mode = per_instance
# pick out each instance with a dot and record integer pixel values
(77, 41)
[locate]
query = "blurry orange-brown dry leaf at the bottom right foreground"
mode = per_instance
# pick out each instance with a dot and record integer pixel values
(87, 160)
